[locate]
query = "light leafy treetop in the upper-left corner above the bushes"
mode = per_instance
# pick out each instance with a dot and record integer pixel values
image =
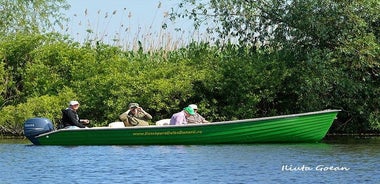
(31, 16)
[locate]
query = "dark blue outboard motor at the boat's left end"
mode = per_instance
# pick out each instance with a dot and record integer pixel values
(36, 126)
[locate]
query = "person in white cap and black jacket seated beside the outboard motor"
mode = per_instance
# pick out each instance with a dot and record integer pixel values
(70, 118)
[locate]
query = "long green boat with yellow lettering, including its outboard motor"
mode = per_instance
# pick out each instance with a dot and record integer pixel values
(304, 127)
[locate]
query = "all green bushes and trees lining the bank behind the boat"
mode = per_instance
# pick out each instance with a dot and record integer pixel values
(289, 57)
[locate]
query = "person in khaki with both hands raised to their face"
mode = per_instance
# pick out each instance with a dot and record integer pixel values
(135, 116)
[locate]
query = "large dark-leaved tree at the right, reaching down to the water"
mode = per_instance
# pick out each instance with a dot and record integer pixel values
(331, 49)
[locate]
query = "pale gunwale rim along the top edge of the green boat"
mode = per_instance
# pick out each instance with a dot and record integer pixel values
(190, 125)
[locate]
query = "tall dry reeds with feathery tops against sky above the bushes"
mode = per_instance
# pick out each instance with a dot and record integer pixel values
(117, 28)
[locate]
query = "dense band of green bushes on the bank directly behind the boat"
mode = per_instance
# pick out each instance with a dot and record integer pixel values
(42, 74)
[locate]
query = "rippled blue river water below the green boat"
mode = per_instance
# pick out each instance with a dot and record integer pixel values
(335, 160)
